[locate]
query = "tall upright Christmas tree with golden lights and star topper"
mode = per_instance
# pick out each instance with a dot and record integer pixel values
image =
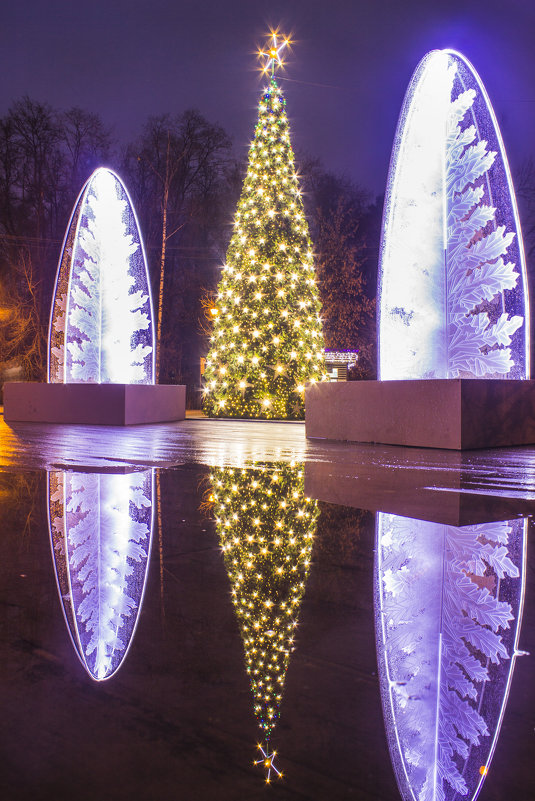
(267, 341)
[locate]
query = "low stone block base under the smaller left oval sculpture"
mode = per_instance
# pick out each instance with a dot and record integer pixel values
(94, 404)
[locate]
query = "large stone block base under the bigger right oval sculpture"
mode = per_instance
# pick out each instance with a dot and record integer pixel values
(455, 413)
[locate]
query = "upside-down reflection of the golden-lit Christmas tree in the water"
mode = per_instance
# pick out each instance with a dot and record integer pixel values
(266, 528)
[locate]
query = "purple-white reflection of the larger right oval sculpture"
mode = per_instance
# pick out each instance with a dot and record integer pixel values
(448, 604)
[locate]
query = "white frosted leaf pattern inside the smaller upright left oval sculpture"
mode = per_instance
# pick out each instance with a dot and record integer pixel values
(106, 313)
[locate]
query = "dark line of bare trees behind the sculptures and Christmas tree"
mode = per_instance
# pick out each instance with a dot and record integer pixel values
(185, 181)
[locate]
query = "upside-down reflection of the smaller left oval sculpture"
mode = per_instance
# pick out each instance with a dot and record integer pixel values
(101, 530)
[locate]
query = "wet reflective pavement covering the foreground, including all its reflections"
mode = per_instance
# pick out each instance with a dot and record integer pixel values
(146, 569)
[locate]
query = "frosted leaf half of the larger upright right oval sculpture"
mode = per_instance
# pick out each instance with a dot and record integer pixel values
(476, 271)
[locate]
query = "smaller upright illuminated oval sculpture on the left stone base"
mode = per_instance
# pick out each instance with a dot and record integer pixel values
(101, 325)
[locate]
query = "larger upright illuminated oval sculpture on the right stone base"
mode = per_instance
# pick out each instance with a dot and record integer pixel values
(452, 275)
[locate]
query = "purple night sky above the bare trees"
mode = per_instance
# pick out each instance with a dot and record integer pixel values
(344, 81)
